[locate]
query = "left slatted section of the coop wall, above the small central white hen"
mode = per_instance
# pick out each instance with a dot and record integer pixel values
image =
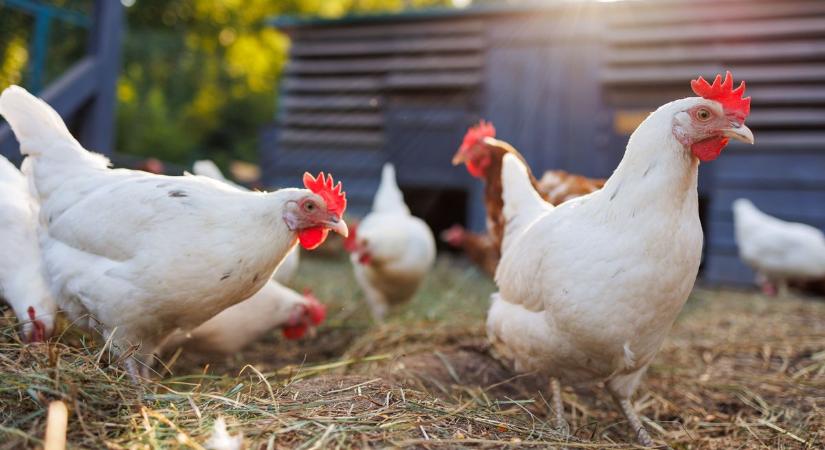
(355, 96)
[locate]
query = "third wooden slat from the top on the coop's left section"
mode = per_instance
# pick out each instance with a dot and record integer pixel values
(387, 64)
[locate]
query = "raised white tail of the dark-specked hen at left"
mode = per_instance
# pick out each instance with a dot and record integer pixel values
(40, 130)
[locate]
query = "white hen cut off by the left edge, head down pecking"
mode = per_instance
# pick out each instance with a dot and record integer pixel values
(22, 279)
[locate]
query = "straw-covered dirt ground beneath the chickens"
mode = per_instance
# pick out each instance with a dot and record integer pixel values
(738, 371)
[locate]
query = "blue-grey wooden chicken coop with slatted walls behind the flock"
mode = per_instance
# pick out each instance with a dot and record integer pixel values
(566, 83)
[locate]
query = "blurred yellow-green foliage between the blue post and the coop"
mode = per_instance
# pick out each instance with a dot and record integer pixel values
(200, 77)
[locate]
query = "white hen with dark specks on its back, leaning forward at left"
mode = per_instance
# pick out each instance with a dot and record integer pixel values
(140, 255)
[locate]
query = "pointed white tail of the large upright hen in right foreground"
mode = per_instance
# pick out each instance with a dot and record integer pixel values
(522, 204)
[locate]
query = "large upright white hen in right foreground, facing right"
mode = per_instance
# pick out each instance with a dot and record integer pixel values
(589, 289)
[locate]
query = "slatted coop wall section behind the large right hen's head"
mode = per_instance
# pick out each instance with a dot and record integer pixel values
(652, 48)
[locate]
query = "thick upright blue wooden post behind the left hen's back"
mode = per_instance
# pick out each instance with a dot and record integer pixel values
(98, 130)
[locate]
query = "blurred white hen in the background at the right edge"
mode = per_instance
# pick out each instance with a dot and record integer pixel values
(778, 251)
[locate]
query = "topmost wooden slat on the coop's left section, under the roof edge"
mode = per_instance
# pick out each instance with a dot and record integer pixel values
(418, 28)
